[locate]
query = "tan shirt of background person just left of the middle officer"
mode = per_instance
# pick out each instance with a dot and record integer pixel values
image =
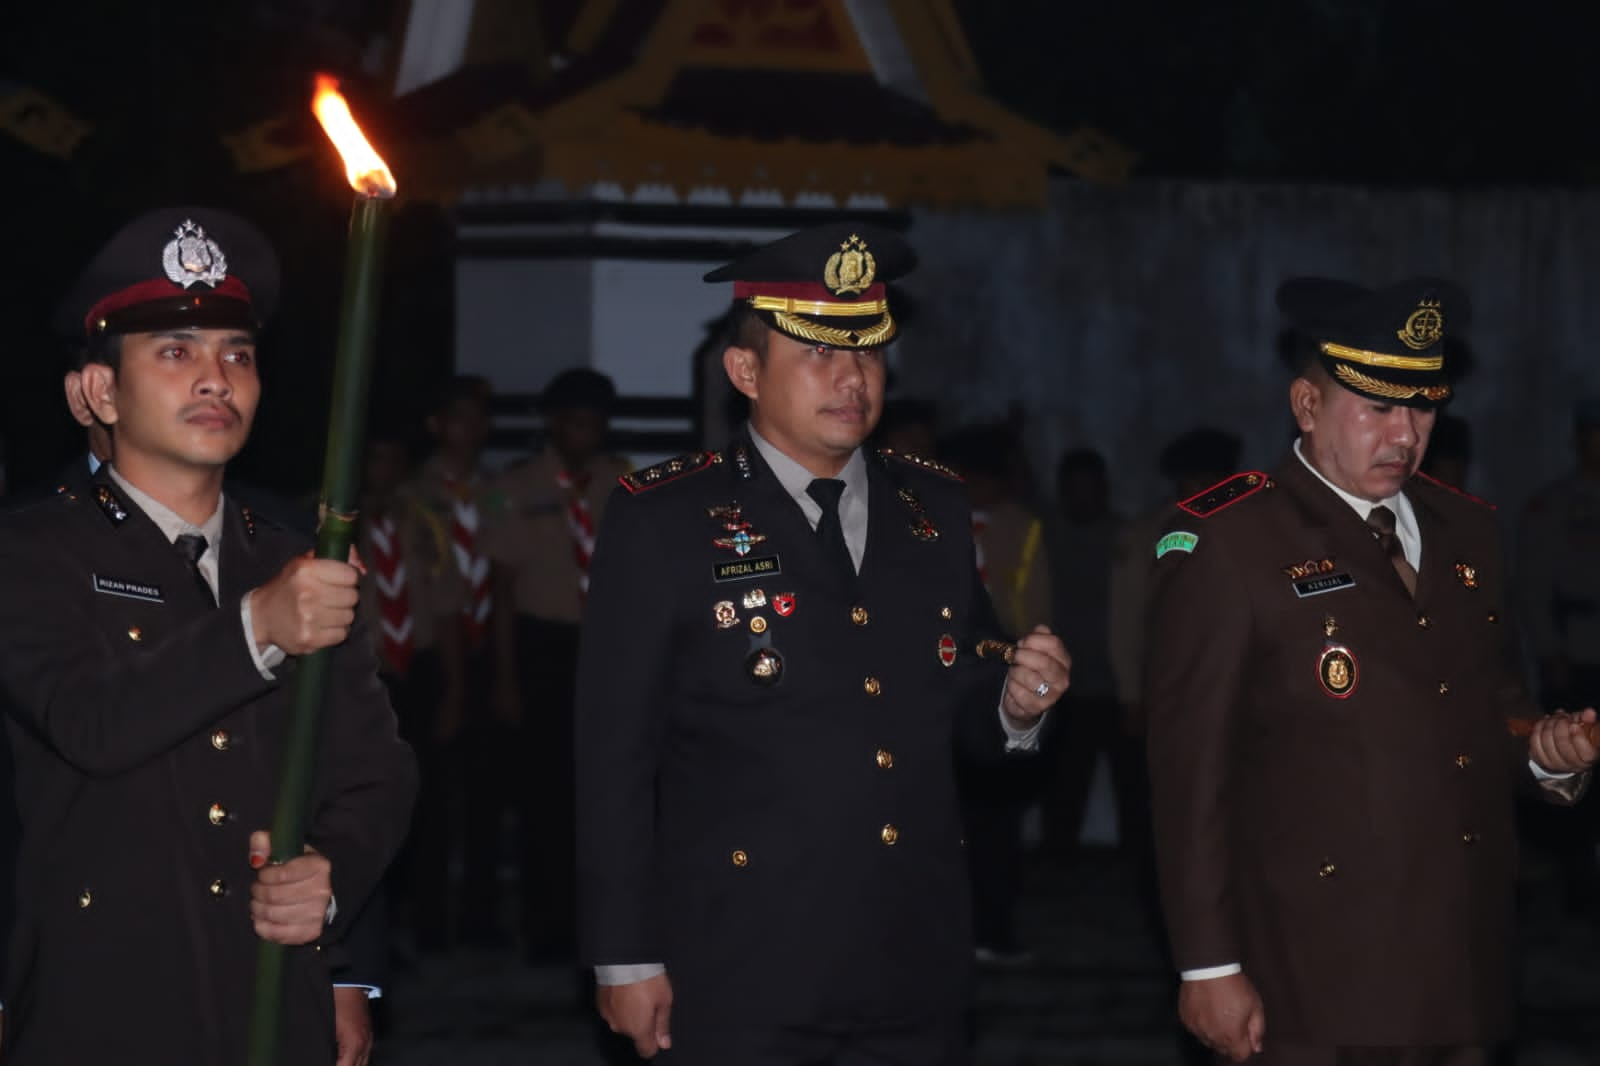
(535, 540)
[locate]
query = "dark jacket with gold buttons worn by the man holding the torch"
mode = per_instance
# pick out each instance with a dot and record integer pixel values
(148, 748)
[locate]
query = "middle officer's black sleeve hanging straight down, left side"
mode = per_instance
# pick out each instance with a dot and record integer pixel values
(625, 692)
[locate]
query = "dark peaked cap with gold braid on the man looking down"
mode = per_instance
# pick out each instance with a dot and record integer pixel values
(1383, 343)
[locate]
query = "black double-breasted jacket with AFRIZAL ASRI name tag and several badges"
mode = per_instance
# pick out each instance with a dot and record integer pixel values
(791, 851)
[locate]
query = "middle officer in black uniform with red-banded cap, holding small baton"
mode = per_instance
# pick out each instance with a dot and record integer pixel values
(778, 657)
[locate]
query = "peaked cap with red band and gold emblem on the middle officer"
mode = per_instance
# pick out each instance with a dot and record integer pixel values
(825, 286)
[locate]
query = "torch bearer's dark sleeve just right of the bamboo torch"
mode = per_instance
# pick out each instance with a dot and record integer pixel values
(367, 780)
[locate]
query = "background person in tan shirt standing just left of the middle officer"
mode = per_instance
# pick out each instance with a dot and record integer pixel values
(551, 508)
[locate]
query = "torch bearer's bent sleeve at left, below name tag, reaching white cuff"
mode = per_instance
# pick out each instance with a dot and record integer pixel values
(108, 705)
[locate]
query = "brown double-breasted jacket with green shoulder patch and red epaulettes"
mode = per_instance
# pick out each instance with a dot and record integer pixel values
(1334, 777)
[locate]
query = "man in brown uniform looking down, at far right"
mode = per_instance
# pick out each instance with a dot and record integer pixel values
(1332, 707)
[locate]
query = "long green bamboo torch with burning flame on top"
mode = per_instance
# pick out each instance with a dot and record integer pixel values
(375, 188)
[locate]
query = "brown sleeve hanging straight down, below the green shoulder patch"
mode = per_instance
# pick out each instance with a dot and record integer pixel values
(1198, 647)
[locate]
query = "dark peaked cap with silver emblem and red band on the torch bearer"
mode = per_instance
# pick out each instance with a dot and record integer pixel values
(175, 268)
